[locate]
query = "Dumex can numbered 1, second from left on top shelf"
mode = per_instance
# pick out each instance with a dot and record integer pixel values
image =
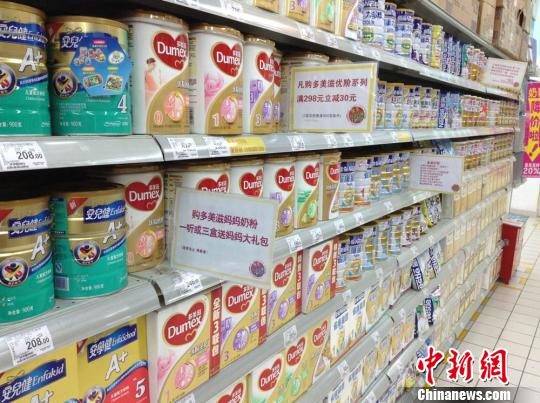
(216, 71)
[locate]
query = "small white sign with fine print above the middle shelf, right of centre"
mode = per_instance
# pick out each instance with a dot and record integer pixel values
(436, 173)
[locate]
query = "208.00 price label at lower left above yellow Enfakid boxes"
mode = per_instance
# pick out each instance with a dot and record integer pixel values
(30, 344)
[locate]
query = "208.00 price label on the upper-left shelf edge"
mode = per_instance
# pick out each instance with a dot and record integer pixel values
(21, 155)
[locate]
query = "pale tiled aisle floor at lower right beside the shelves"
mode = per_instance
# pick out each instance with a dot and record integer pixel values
(509, 317)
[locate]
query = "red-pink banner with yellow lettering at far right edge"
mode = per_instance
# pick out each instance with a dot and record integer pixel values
(531, 157)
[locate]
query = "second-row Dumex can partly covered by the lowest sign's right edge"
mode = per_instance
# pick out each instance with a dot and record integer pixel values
(278, 184)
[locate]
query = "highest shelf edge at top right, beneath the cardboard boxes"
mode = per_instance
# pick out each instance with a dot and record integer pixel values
(435, 15)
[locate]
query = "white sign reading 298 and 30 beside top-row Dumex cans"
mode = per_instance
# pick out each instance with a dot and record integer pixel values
(336, 98)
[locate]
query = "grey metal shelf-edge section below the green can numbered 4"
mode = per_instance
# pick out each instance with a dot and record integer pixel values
(77, 151)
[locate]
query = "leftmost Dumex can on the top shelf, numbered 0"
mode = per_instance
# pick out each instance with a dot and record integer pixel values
(159, 49)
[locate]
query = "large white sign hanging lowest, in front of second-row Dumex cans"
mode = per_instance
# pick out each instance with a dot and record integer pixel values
(227, 236)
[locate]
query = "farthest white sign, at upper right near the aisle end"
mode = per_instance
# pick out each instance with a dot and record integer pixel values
(507, 74)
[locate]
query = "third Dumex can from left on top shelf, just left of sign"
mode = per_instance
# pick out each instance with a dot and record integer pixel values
(258, 85)
